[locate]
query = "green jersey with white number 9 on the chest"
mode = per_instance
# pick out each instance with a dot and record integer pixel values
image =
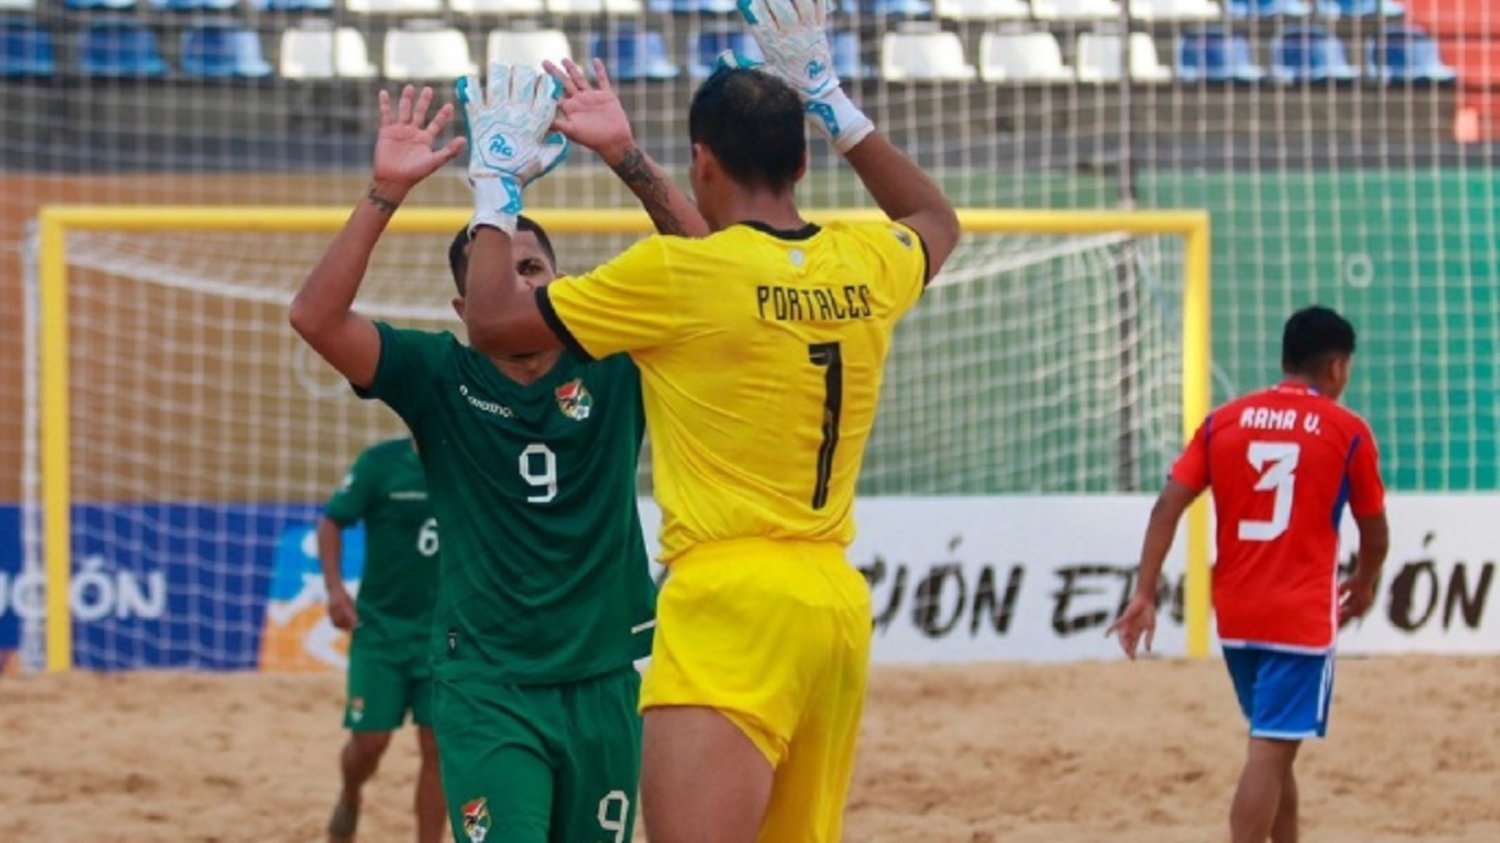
(545, 574)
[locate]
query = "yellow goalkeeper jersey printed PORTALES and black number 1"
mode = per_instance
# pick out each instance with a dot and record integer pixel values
(761, 356)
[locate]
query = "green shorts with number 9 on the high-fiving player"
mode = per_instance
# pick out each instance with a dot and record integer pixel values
(541, 764)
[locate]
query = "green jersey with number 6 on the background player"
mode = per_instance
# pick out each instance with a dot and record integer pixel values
(386, 491)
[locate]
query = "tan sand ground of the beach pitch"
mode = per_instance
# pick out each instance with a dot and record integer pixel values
(1027, 754)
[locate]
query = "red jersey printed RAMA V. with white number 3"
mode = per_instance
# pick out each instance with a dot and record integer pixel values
(1282, 464)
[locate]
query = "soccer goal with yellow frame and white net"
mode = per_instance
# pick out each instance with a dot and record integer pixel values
(179, 431)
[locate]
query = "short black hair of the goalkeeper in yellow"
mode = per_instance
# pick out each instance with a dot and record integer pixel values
(754, 125)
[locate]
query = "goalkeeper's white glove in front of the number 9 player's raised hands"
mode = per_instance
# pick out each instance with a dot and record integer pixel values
(508, 125)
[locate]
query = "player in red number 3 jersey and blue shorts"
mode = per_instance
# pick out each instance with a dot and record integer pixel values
(1282, 466)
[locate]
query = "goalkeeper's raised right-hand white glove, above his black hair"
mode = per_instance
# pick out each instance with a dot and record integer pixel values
(793, 34)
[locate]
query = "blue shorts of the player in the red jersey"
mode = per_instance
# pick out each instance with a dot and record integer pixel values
(1283, 695)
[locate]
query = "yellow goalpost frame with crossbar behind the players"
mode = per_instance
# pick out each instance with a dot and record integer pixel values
(58, 221)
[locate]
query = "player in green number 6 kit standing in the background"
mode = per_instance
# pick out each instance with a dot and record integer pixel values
(391, 623)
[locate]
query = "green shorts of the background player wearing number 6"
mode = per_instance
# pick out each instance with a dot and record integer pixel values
(385, 682)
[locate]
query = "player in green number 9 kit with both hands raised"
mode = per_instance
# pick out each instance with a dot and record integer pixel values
(545, 598)
